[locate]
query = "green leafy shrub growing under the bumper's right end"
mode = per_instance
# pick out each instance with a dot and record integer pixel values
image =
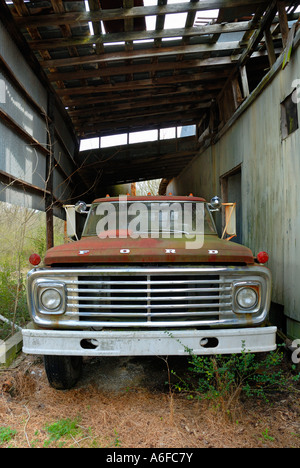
(225, 379)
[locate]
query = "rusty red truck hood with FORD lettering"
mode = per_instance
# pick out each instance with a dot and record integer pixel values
(92, 250)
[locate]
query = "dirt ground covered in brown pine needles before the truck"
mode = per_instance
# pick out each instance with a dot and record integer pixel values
(127, 403)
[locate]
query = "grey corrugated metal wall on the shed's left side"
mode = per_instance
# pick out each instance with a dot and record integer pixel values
(24, 135)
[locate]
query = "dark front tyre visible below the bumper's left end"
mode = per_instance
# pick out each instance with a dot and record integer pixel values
(63, 371)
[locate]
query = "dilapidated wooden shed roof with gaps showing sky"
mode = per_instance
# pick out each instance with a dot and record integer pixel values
(115, 73)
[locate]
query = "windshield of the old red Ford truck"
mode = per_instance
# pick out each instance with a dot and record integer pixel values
(148, 219)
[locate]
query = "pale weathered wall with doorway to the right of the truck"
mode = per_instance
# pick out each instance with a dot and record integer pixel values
(270, 170)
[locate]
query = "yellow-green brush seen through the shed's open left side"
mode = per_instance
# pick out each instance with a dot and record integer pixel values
(22, 232)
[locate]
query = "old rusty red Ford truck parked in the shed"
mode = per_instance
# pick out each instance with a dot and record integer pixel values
(149, 276)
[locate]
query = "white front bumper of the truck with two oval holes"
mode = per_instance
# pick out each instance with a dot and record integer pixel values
(148, 342)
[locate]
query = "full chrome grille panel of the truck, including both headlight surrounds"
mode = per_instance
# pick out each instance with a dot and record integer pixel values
(170, 296)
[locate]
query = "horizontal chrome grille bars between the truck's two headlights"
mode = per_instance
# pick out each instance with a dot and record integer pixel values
(149, 299)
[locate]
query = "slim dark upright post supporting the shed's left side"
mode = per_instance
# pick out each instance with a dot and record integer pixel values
(49, 199)
